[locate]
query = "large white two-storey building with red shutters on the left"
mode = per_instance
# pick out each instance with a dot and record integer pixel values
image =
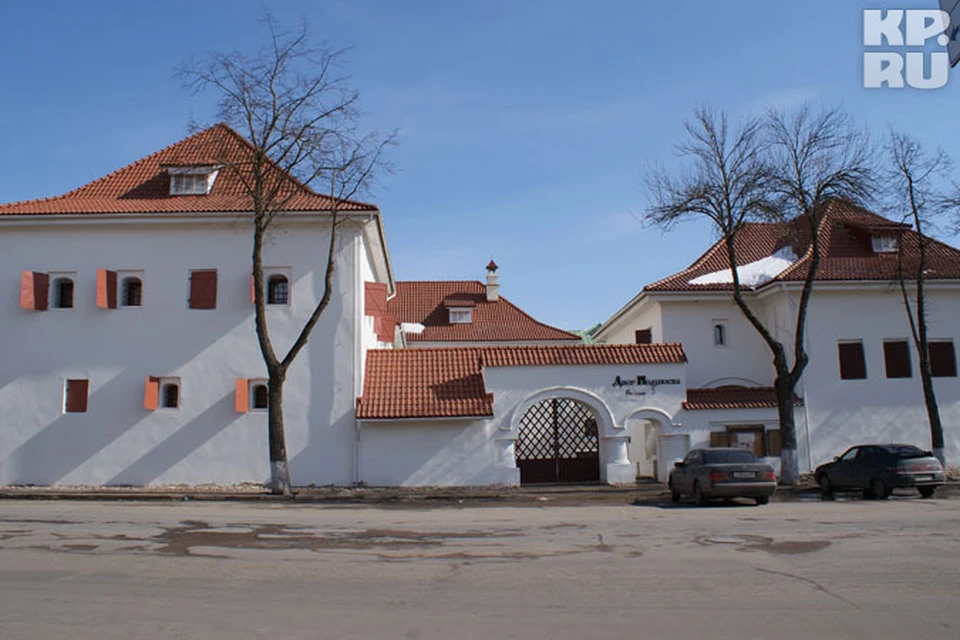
(129, 353)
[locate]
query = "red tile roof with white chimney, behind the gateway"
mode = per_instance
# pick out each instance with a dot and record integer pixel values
(426, 303)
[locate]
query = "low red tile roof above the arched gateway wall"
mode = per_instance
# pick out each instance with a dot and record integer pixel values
(448, 382)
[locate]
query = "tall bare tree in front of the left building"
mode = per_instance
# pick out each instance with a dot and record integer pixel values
(301, 119)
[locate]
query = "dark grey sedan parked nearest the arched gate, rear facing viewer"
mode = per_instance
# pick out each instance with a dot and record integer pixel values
(722, 473)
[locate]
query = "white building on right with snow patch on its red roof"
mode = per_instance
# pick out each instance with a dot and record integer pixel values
(862, 383)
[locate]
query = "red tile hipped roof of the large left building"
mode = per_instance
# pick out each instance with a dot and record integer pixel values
(144, 186)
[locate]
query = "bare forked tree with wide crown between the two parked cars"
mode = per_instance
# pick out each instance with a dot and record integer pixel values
(776, 169)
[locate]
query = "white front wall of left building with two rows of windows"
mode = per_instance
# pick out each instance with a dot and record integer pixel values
(117, 441)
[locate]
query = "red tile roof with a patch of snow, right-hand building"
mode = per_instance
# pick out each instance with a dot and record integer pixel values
(846, 252)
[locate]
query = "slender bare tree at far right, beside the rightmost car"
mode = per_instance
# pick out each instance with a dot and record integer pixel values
(916, 186)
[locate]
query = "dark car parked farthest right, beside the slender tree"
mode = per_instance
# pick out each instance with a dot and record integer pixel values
(880, 468)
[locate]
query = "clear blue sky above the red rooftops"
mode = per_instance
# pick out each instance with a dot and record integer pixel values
(525, 127)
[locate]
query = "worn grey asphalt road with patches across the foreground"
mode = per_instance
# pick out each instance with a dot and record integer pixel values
(801, 569)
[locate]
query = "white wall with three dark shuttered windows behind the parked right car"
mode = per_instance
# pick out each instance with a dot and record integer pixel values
(847, 412)
